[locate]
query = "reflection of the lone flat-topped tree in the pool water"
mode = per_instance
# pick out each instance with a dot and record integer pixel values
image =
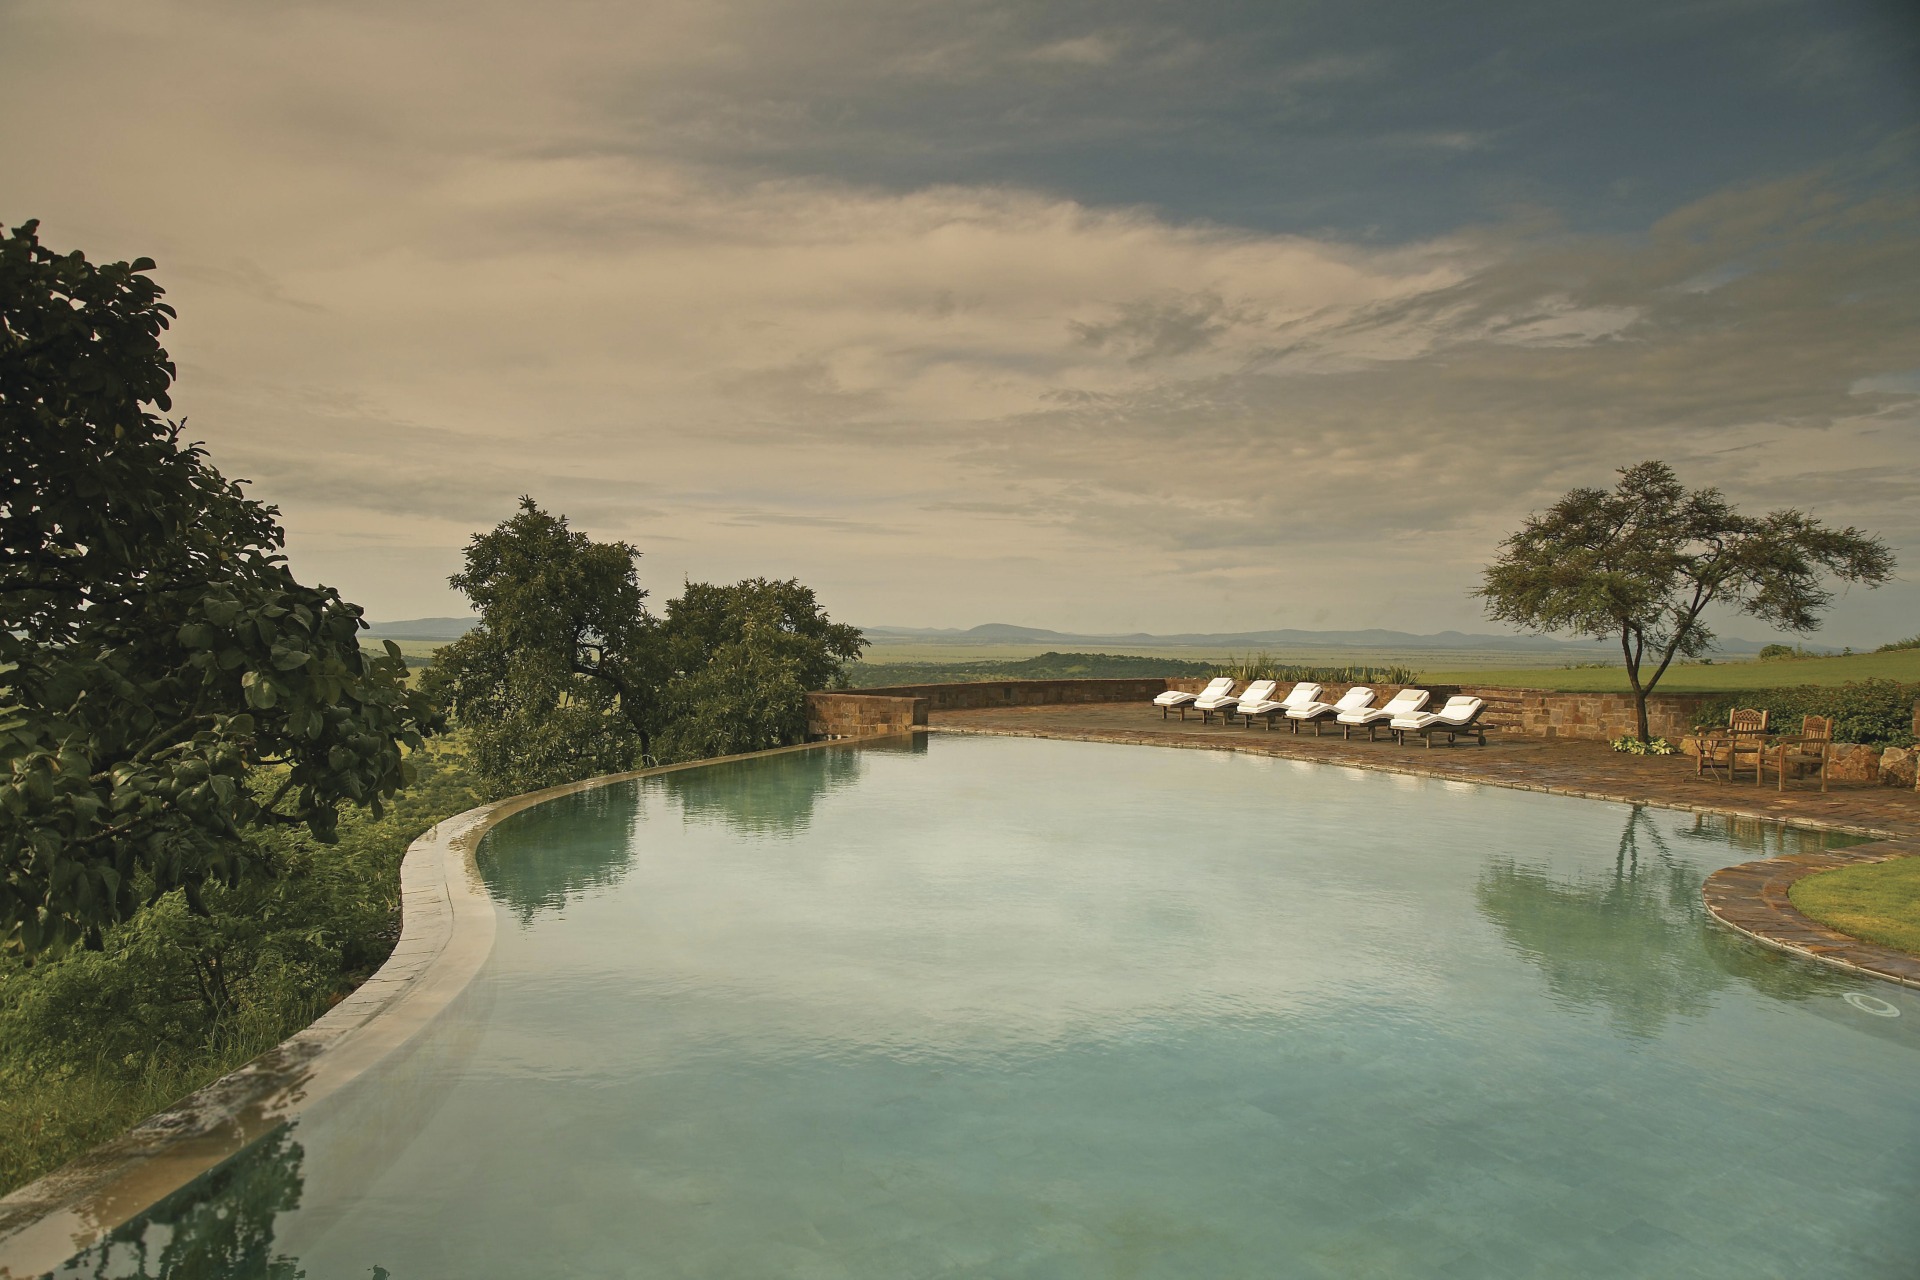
(1635, 941)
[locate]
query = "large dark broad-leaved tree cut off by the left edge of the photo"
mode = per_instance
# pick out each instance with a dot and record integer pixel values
(155, 646)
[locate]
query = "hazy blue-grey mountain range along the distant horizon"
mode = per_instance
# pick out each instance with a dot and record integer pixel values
(1007, 634)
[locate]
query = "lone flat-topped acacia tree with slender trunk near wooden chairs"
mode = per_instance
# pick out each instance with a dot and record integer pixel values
(1644, 563)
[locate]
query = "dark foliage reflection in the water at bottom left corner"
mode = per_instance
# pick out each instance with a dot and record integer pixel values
(218, 1227)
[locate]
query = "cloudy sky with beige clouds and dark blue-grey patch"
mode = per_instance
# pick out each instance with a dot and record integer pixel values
(1080, 316)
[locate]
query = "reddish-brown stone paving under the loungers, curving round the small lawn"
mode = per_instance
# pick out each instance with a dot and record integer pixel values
(1752, 897)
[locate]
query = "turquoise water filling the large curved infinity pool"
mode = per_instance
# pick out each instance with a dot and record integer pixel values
(1028, 1008)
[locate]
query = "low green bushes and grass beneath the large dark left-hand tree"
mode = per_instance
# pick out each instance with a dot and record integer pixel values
(95, 1041)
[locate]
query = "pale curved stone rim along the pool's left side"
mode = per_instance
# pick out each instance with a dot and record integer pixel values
(446, 936)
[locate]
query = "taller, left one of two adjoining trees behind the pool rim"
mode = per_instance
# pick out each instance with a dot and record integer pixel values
(562, 678)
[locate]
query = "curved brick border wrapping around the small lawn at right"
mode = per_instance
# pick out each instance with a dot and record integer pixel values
(1752, 899)
